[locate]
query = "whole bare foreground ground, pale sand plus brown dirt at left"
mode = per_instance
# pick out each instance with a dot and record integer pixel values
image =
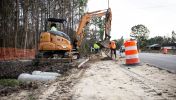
(104, 79)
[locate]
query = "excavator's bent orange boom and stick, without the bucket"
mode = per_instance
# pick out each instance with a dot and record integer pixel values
(87, 17)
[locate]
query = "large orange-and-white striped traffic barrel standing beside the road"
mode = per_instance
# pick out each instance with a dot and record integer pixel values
(131, 52)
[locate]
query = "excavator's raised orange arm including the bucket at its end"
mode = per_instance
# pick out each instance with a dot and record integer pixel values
(86, 18)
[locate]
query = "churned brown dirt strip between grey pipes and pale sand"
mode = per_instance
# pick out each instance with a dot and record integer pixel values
(54, 90)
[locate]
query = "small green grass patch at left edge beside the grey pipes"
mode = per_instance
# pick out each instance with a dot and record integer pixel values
(9, 82)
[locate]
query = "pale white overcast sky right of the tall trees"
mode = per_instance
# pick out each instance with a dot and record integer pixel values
(159, 16)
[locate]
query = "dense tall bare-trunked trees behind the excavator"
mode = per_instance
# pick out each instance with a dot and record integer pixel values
(21, 21)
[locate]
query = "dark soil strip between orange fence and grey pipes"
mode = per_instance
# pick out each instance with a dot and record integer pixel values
(12, 69)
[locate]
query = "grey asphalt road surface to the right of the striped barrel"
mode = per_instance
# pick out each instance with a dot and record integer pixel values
(163, 61)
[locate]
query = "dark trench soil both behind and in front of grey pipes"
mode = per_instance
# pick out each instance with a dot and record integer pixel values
(12, 69)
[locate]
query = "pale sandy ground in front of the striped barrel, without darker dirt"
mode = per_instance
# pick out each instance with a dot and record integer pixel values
(111, 80)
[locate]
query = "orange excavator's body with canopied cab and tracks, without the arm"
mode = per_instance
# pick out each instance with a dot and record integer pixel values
(54, 43)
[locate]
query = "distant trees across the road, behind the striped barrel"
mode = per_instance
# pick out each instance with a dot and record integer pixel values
(141, 34)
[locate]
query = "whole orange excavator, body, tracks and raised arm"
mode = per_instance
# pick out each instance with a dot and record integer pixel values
(57, 44)
